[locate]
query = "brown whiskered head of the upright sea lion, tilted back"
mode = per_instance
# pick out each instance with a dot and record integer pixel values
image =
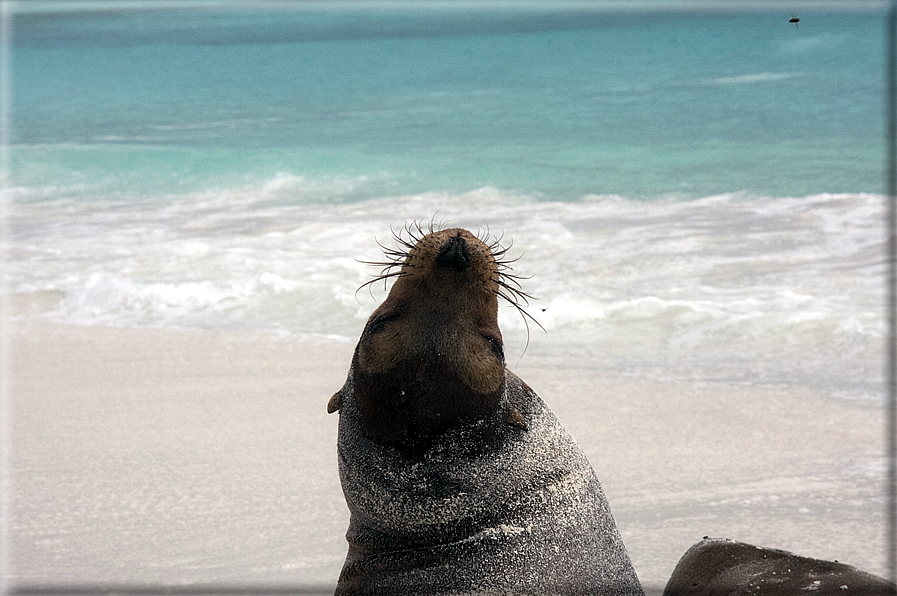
(431, 355)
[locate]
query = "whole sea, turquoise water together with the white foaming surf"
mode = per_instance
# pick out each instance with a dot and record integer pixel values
(696, 192)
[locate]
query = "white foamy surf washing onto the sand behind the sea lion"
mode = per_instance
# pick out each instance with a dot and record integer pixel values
(729, 280)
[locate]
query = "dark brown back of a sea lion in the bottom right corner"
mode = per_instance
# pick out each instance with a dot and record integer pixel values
(719, 567)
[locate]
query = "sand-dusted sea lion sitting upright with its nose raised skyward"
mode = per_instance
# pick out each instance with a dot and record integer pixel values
(458, 478)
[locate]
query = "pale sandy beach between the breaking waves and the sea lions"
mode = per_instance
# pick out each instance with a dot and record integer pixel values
(178, 457)
